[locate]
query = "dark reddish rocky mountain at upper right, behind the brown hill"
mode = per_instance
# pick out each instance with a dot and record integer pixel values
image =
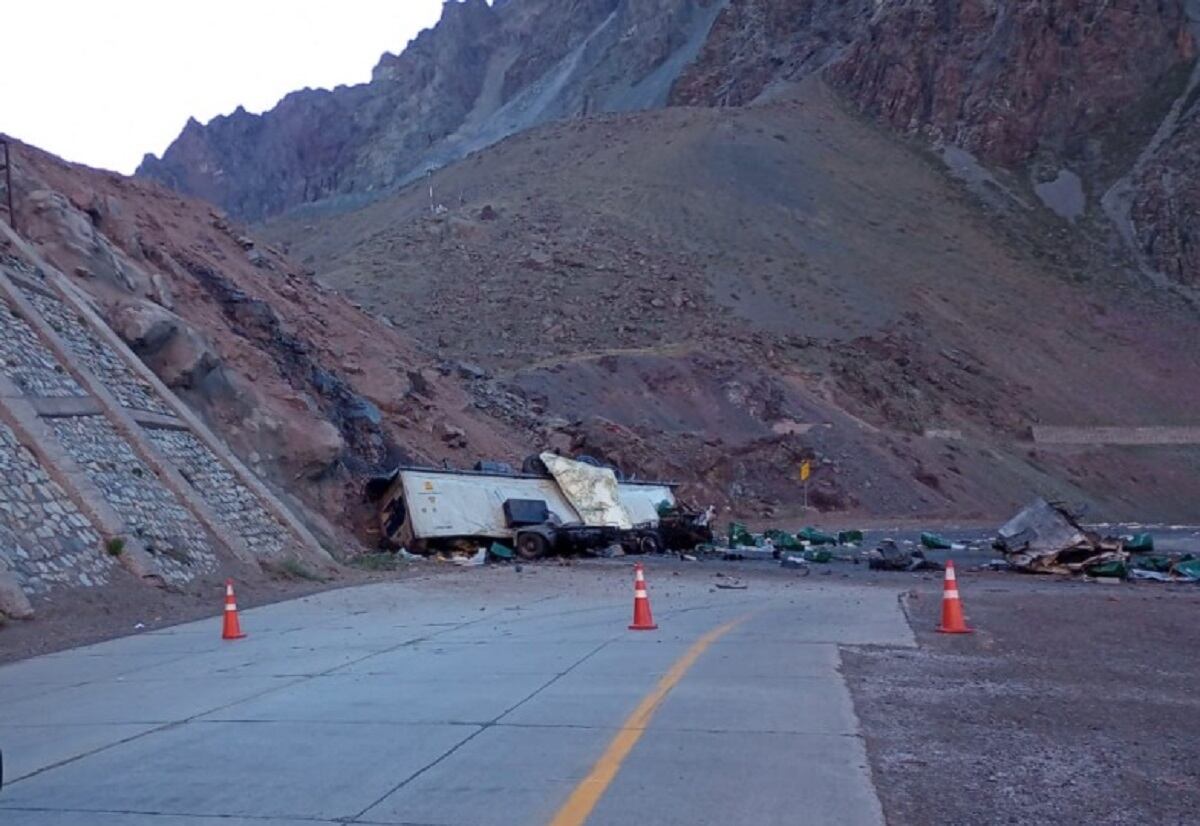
(1089, 106)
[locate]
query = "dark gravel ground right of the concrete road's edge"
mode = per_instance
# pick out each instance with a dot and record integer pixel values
(1072, 703)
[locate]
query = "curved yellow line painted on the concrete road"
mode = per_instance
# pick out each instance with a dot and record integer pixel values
(587, 794)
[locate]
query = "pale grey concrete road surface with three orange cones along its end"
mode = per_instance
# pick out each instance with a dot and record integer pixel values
(485, 699)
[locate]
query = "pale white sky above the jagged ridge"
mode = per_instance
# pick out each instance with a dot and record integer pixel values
(104, 82)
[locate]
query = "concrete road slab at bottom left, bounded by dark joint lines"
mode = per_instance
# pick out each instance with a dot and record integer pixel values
(262, 770)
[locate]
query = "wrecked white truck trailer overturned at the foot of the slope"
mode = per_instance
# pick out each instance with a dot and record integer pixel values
(573, 506)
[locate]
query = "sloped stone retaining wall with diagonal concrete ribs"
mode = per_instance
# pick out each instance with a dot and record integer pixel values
(95, 448)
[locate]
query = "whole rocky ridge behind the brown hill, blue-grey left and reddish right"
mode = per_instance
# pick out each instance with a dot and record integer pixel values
(1052, 92)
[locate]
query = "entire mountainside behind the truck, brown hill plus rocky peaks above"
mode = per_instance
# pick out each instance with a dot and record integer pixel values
(907, 238)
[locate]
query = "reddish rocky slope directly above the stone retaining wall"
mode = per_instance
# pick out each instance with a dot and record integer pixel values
(313, 393)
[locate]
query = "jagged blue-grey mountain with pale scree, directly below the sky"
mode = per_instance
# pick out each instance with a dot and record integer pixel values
(483, 74)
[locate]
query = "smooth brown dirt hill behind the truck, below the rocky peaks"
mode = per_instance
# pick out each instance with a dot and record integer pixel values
(716, 294)
